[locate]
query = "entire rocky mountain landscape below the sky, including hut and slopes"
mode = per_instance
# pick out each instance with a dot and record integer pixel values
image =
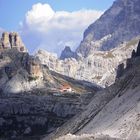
(92, 93)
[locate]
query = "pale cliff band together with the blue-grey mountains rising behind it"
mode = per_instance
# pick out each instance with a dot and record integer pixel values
(107, 42)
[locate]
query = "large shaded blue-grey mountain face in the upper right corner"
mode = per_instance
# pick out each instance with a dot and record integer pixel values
(118, 24)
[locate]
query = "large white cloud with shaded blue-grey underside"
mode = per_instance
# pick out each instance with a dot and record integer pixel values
(54, 29)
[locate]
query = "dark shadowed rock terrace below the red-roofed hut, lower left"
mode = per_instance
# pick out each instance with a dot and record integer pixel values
(31, 115)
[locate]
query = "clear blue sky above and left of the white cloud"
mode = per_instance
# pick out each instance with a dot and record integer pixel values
(13, 11)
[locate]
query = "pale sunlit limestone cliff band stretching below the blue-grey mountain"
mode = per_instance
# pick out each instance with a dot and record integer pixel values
(99, 67)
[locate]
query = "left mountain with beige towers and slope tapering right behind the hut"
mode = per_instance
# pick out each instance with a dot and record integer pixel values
(20, 72)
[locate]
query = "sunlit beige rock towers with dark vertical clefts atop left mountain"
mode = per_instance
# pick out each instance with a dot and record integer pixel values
(12, 40)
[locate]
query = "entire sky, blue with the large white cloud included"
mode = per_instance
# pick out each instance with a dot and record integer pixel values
(50, 24)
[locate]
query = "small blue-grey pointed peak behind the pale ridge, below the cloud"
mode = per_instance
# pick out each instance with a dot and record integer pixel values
(68, 53)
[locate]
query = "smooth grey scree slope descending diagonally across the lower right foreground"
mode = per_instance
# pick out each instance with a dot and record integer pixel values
(113, 111)
